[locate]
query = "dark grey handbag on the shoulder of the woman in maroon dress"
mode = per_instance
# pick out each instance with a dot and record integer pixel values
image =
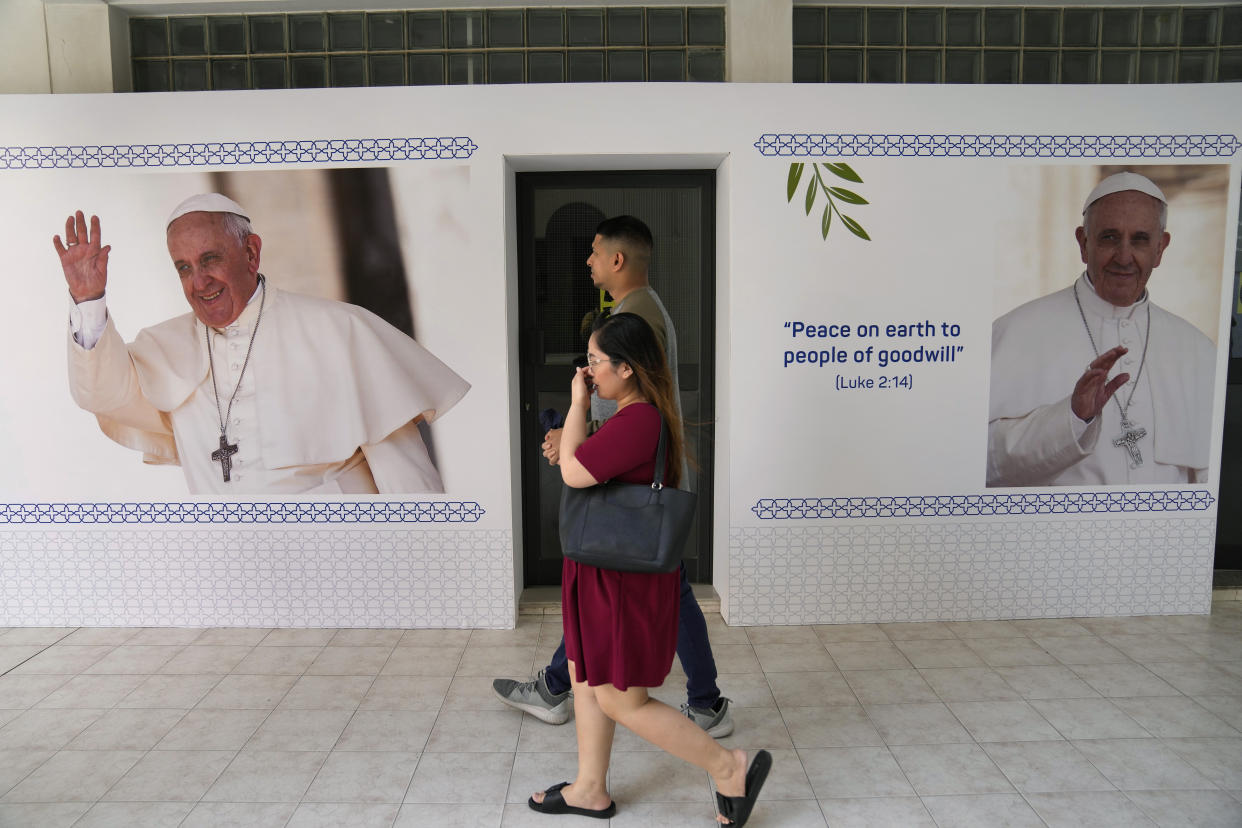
(628, 527)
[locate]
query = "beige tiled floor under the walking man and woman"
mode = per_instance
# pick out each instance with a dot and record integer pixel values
(1118, 722)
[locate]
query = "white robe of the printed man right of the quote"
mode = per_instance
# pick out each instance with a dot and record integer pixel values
(1041, 349)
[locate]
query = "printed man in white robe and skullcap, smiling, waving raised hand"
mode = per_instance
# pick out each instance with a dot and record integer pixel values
(256, 390)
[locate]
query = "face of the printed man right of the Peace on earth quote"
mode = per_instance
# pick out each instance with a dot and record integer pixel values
(1121, 244)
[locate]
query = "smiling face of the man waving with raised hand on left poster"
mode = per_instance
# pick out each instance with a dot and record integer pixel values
(218, 270)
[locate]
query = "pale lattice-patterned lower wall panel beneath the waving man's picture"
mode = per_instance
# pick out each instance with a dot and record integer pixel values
(256, 577)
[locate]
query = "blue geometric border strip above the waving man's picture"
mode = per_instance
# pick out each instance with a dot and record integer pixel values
(233, 153)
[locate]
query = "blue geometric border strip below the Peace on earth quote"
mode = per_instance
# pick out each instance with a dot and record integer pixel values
(982, 506)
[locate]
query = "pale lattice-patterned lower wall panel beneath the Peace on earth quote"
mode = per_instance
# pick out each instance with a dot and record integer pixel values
(827, 573)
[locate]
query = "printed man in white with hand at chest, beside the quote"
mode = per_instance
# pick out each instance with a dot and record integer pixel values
(1096, 384)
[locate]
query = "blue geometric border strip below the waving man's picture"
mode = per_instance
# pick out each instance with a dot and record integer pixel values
(242, 513)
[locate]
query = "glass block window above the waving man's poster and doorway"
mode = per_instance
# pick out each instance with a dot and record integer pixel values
(418, 48)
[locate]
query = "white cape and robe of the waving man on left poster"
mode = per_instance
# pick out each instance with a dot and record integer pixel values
(327, 404)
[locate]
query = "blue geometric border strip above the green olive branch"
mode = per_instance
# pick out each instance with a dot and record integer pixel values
(845, 145)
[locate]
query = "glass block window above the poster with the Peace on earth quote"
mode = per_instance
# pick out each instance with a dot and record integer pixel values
(1014, 44)
